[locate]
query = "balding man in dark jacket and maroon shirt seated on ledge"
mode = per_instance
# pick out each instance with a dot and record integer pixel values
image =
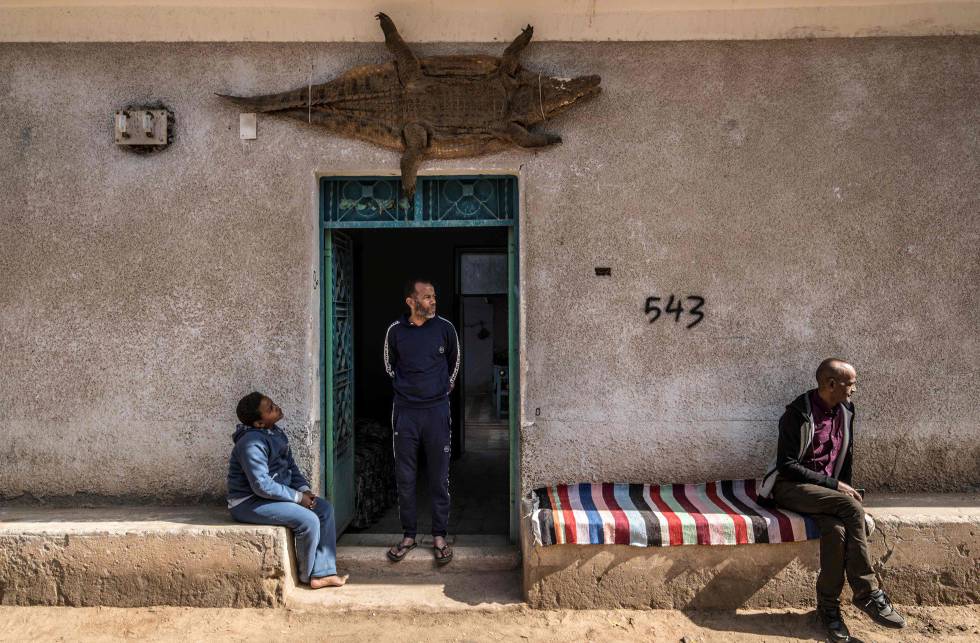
(812, 475)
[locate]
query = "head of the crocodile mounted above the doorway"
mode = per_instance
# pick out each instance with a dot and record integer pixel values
(539, 98)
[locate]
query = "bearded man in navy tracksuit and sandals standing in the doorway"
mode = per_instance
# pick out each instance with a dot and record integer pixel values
(422, 357)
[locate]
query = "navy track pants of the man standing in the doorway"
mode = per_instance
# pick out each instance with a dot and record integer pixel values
(428, 429)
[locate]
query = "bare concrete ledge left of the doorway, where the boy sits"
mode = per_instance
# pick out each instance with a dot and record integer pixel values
(135, 557)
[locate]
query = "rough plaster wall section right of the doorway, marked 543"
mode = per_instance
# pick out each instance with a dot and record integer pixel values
(824, 199)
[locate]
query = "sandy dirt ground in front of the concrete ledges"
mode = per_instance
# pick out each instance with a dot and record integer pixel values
(518, 624)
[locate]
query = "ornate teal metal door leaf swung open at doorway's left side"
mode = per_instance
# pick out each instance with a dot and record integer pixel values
(339, 436)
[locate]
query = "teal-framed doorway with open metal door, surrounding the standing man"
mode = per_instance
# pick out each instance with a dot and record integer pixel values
(468, 250)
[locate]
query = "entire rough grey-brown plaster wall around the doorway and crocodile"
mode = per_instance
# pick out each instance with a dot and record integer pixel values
(821, 196)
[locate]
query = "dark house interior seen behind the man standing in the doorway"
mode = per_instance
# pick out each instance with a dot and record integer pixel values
(478, 475)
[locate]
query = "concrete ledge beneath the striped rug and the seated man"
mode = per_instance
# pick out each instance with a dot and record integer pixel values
(927, 550)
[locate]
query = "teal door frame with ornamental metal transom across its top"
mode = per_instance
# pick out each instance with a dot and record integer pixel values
(450, 201)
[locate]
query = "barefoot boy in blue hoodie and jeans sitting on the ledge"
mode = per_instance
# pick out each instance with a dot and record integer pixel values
(266, 487)
